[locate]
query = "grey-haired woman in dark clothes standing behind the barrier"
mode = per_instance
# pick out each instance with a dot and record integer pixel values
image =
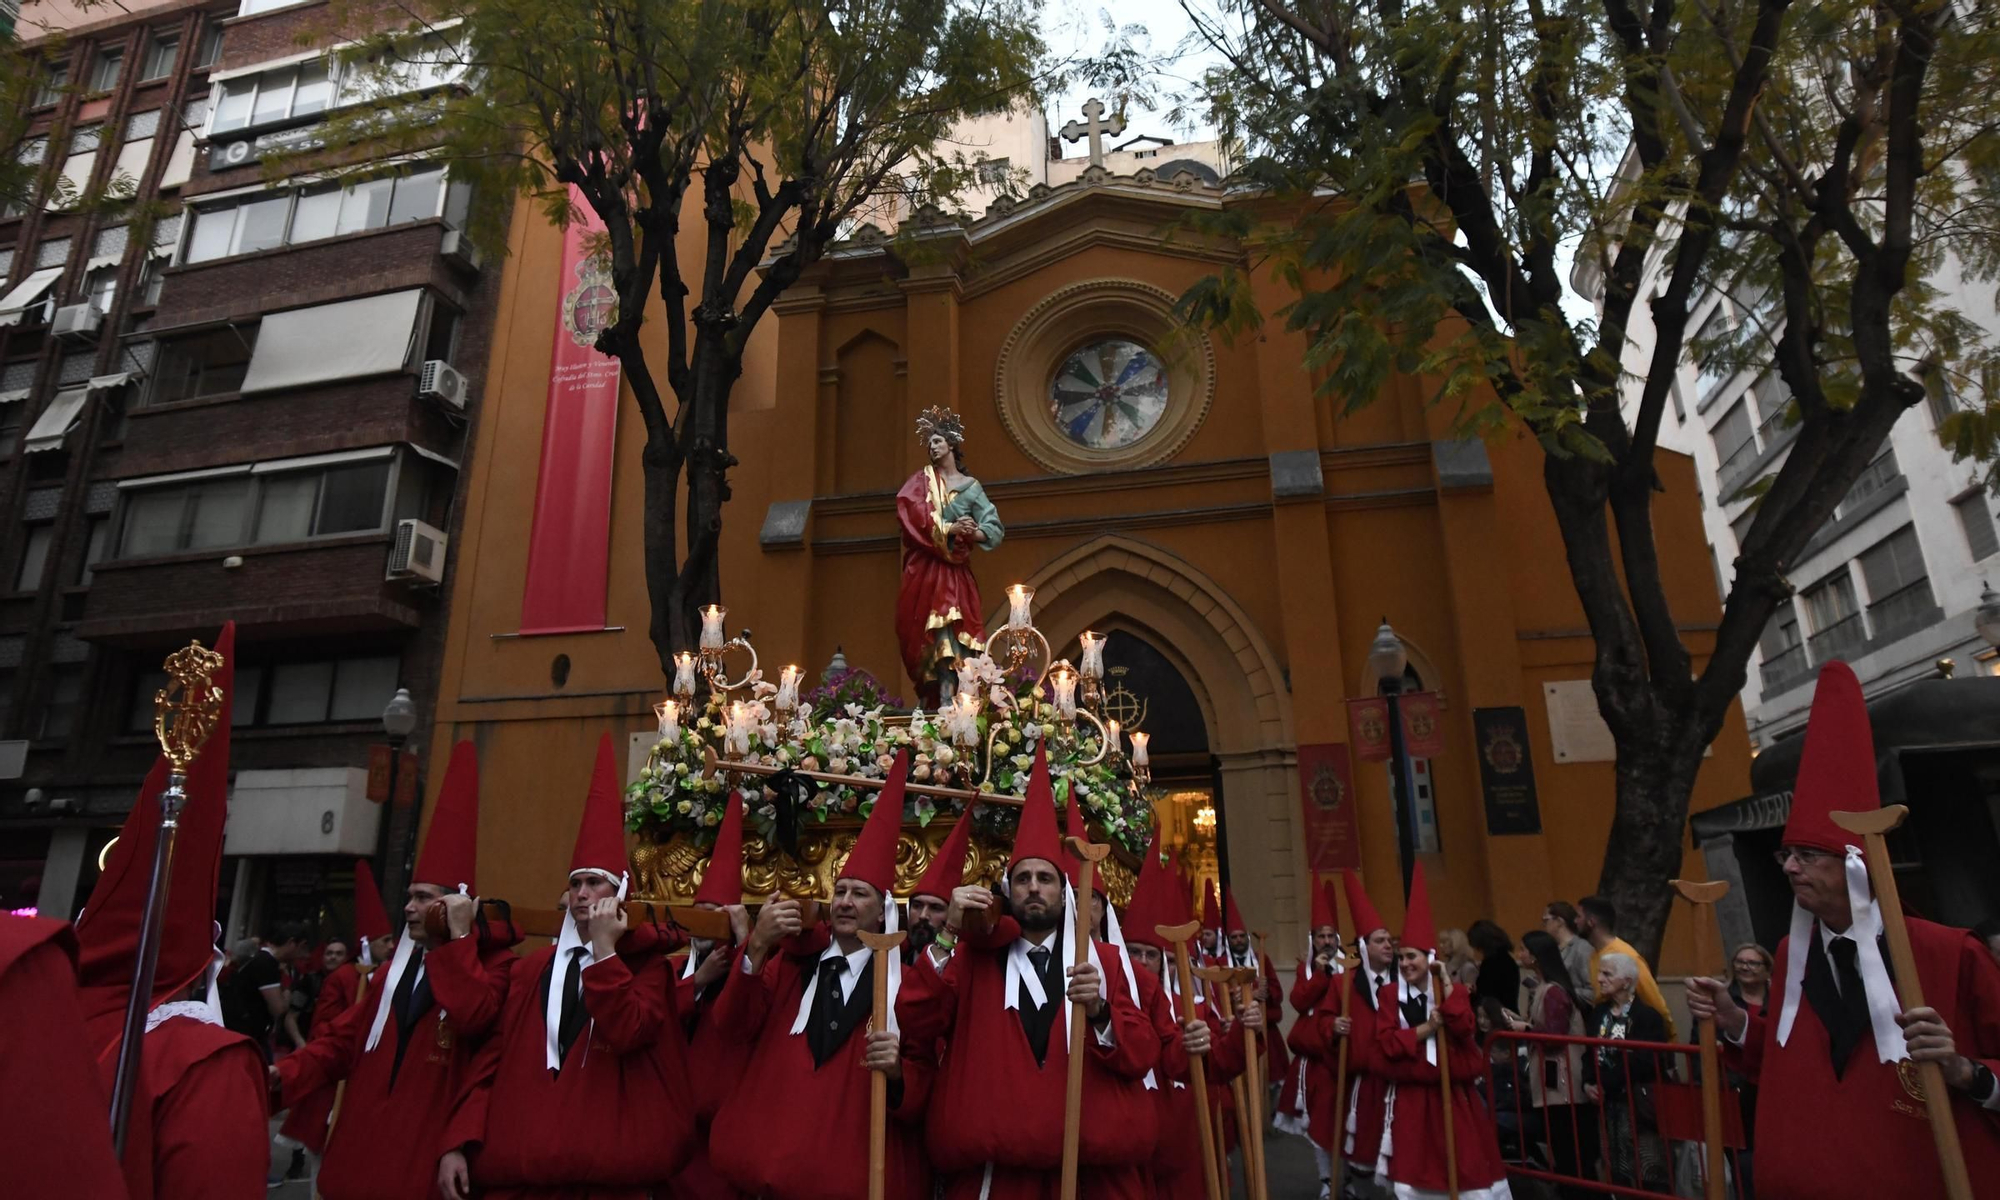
(1623, 1081)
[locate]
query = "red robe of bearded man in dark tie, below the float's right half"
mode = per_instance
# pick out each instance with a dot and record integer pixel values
(995, 1105)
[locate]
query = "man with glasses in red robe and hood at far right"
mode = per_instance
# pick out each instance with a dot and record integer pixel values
(1839, 1101)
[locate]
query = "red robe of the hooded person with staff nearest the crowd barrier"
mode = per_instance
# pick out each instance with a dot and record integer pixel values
(1417, 1123)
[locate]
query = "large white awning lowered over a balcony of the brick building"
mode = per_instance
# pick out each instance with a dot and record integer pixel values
(327, 343)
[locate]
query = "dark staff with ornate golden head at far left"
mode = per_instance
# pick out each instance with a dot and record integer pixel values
(183, 717)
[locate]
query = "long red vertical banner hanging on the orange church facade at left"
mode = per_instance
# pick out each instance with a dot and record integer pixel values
(571, 535)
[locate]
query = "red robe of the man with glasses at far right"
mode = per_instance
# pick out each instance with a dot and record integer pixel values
(1867, 1133)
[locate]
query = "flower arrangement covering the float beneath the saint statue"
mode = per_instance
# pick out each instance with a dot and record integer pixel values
(997, 711)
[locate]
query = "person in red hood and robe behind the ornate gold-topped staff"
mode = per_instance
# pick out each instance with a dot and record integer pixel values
(197, 1125)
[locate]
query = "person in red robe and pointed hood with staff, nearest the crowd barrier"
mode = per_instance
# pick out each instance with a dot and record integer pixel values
(1411, 1017)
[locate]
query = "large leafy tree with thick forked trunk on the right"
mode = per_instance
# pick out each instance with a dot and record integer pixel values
(1819, 163)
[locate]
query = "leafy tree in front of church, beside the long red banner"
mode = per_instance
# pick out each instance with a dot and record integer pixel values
(761, 129)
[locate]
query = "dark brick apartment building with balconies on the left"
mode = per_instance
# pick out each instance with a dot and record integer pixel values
(223, 399)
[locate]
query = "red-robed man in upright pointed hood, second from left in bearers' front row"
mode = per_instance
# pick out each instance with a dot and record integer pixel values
(583, 1089)
